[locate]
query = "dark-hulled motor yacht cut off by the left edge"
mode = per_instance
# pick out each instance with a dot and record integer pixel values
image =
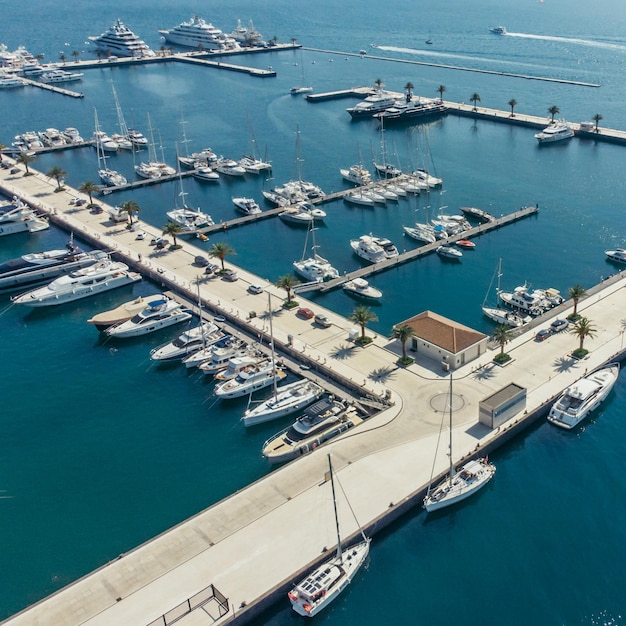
(35, 268)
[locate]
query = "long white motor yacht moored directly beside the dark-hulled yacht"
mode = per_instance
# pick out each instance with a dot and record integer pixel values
(82, 283)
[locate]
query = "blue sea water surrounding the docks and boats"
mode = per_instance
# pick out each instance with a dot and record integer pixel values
(102, 451)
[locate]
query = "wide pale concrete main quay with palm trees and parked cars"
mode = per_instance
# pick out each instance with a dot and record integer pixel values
(228, 563)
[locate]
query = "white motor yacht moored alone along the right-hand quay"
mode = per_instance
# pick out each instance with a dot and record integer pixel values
(585, 395)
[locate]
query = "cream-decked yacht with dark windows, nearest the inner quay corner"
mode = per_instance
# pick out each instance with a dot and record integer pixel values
(320, 422)
